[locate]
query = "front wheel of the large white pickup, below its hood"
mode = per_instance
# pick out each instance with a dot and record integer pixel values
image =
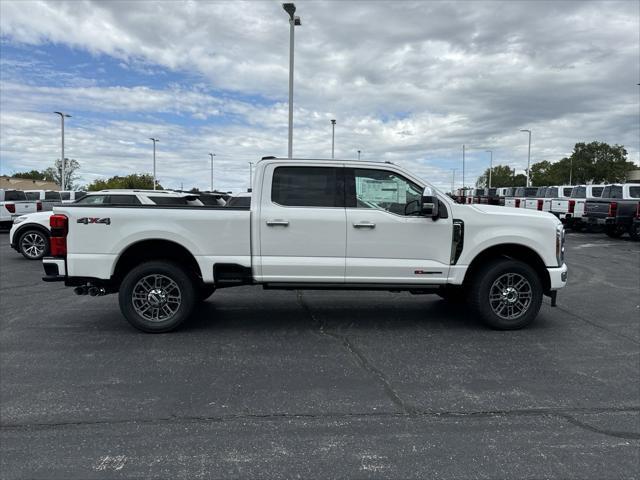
(507, 294)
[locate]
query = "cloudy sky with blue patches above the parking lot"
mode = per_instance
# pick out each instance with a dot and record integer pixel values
(409, 82)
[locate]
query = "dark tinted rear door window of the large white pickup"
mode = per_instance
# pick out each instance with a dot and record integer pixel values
(308, 187)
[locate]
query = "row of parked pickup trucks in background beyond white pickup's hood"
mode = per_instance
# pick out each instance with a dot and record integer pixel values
(614, 208)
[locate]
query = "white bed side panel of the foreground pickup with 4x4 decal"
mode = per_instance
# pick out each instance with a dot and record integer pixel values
(98, 235)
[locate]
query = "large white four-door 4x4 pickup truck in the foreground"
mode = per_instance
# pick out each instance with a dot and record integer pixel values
(312, 224)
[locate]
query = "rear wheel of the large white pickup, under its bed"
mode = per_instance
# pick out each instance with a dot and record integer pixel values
(157, 296)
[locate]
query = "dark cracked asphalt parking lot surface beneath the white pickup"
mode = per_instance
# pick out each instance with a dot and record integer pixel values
(318, 384)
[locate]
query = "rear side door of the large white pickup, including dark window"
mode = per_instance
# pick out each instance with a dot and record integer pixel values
(302, 224)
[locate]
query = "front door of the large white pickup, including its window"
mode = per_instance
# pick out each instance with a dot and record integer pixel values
(388, 241)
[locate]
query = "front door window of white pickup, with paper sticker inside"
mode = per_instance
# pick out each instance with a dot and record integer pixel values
(386, 190)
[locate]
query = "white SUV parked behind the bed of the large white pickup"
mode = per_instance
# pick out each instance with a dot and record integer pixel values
(29, 234)
